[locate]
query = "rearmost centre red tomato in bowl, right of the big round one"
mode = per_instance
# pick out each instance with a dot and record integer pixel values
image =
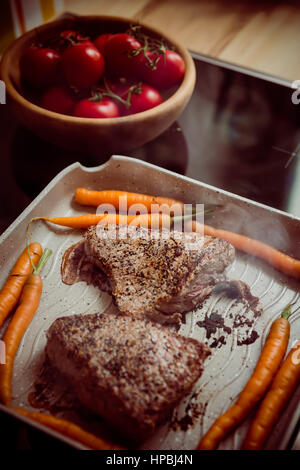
(122, 55)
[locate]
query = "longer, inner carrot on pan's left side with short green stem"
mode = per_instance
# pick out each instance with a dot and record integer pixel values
(29, 302)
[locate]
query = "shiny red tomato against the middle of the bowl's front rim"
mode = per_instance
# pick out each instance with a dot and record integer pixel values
(104, 108)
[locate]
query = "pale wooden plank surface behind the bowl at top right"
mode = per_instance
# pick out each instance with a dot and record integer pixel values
(262, 35)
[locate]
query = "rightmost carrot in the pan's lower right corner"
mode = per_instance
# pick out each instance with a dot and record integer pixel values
(283, 385)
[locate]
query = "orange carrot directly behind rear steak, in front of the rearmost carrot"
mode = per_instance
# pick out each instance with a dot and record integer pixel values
(87, 220)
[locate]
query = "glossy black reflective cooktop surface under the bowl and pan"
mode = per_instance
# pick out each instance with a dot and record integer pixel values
(239, 133)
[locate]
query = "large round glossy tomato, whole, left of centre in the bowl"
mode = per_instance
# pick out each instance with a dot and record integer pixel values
(83, 65)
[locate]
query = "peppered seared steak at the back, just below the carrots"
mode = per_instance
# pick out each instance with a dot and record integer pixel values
(161, 277)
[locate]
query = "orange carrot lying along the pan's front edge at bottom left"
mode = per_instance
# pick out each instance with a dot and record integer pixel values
(69, 429)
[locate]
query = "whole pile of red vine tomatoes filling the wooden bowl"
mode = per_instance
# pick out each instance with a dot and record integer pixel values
(112, 75)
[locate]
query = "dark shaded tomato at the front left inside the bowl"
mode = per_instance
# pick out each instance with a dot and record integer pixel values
(58, 99)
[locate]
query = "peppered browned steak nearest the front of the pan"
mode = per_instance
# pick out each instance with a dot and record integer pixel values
(129, 371)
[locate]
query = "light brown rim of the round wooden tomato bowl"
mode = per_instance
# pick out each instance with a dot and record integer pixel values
(184, 88)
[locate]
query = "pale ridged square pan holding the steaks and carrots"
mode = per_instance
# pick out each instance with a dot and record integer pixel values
(234, 357)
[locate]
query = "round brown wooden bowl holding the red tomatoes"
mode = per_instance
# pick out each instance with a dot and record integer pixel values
(89, 134)
